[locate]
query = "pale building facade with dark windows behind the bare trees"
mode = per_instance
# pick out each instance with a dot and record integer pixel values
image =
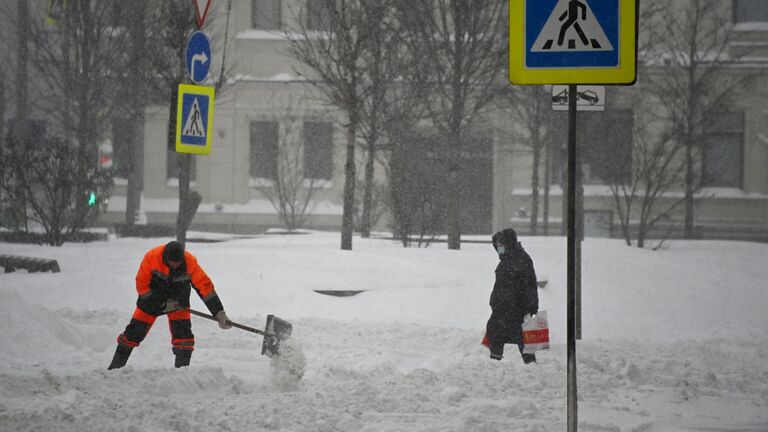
(270, 121)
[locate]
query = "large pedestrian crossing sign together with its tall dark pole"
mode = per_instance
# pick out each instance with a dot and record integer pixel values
(572, 42)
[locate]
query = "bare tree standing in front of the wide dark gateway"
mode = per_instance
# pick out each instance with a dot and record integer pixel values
(460, 45)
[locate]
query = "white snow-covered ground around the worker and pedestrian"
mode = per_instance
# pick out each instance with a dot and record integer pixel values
(673, 340)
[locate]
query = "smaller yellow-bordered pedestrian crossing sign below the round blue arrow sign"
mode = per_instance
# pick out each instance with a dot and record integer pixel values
(194, 119)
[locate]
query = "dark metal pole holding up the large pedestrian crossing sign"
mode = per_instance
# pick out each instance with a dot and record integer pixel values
(572, 255)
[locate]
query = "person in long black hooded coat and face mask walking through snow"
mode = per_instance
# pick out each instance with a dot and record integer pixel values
(513, 297)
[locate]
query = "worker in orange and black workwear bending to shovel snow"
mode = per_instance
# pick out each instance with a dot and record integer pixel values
(164, 282)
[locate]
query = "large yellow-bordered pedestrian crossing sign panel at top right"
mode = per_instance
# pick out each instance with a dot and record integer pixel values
(573, 41)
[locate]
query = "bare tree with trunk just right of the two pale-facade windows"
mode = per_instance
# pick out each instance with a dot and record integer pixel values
(328, 40)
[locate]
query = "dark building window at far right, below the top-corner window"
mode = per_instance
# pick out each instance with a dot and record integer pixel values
(722, 161)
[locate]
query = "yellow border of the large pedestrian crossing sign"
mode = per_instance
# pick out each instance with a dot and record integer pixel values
(625, 73)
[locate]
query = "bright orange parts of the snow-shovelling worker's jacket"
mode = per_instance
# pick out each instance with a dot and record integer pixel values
(153, 260)
